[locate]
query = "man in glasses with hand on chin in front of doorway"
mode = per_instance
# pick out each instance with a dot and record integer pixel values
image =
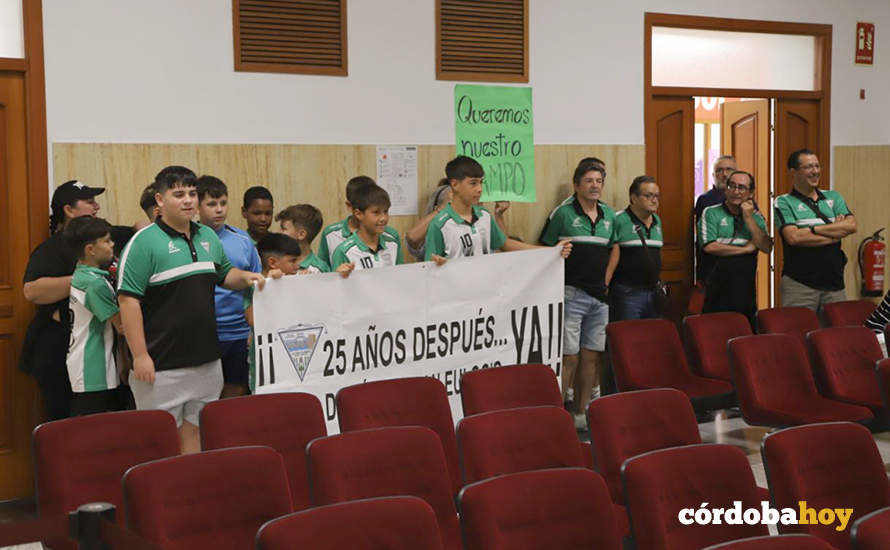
(729, 235)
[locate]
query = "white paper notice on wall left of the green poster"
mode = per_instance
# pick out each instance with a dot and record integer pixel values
(397, 173)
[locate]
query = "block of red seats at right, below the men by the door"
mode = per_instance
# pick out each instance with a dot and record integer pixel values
(770, 375)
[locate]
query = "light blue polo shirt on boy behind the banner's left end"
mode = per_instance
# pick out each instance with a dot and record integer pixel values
(230, 321)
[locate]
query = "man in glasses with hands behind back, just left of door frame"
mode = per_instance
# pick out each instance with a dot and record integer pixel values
(632, 292)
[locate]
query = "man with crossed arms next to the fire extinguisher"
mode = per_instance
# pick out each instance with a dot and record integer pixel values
(812, 223)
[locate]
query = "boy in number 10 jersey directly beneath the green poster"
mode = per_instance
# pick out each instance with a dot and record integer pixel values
(463, 227)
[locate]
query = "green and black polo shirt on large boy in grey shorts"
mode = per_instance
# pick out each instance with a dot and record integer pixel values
(174, 276)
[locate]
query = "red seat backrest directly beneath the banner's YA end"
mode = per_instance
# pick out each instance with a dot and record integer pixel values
(509, 387)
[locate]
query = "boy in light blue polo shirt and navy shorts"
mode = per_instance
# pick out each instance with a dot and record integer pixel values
(231, 326)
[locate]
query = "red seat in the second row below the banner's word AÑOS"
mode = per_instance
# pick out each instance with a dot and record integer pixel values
(405, 460)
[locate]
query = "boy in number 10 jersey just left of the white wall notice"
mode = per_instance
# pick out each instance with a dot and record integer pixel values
(371, 246)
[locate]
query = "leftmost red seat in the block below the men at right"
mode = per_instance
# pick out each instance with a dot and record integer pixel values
(648, 354)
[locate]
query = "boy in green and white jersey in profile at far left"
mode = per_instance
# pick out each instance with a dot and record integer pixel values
(93, 309)
